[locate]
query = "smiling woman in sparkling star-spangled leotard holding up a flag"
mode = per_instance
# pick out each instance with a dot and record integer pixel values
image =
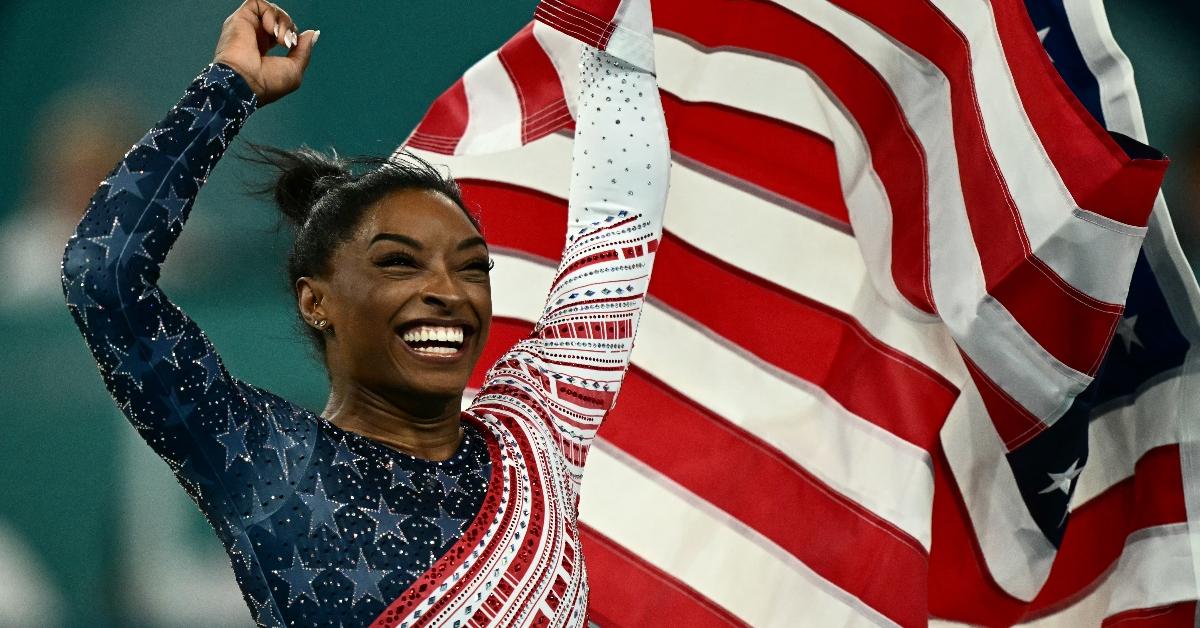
(393, 507)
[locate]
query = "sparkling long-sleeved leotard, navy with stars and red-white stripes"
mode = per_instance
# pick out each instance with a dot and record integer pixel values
(328, 528)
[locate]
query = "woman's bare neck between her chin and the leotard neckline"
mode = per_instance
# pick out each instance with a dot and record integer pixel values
(430, 429)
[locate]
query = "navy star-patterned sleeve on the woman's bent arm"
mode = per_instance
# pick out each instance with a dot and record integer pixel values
(158, 364)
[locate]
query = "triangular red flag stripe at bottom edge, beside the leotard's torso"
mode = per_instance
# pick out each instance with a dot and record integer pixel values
(629, 591)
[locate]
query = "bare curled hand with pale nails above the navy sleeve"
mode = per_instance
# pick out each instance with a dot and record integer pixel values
(250, 33)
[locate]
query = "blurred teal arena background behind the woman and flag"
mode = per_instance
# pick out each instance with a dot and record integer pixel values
(93, 528)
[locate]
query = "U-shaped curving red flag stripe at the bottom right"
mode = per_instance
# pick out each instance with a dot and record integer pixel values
(963, 590)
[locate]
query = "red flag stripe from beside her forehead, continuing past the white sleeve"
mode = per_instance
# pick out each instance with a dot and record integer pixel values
(833, 351)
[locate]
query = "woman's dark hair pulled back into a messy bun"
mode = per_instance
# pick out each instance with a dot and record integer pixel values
(325, 196)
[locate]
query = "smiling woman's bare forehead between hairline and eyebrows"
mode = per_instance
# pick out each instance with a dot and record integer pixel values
(422, 214)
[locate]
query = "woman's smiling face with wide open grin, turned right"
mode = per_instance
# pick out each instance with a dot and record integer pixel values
(410, 300)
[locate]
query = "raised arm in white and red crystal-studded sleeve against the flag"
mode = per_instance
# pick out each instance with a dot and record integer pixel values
(580, 348)
